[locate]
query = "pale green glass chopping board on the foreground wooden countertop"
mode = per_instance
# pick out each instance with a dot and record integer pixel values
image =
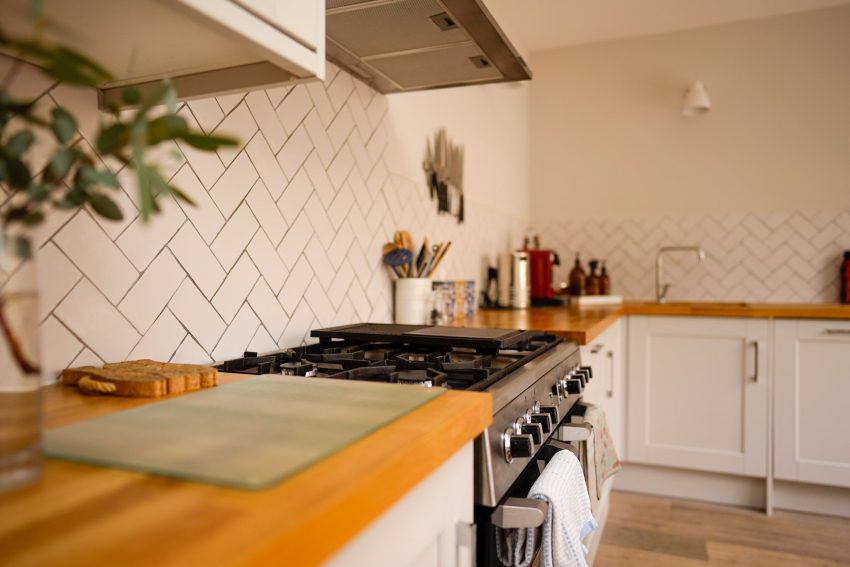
(250, 434)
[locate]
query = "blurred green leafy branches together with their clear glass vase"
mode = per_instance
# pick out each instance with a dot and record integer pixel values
(71, 179)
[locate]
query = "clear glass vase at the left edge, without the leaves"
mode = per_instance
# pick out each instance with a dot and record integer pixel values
(20, 376)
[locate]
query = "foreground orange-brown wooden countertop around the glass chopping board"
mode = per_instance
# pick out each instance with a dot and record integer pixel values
(86, 515)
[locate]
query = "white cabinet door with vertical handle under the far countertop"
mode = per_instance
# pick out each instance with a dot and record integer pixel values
(698, 393)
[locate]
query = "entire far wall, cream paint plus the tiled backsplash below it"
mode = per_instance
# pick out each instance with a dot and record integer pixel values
(762, 182)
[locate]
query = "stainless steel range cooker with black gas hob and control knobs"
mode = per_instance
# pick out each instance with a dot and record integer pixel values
(535, 379)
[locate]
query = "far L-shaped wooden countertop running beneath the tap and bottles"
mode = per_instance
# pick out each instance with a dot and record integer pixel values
(584, 324)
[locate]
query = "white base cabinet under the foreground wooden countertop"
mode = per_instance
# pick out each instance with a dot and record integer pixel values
(431, 526)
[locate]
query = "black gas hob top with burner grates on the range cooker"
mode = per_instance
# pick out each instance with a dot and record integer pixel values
(457, 358)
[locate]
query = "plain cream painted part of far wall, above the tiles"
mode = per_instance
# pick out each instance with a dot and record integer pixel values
(608, 137)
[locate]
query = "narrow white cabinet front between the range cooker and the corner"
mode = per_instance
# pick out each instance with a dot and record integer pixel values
(607, 388)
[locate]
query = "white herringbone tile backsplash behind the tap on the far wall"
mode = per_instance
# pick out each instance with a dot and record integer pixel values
(786, 257)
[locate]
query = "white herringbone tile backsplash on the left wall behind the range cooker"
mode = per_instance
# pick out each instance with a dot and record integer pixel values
(286, 237)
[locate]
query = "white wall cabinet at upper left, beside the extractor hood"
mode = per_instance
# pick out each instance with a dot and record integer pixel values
(207, 47)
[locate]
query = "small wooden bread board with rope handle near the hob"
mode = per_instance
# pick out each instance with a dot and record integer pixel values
(141, 378)
